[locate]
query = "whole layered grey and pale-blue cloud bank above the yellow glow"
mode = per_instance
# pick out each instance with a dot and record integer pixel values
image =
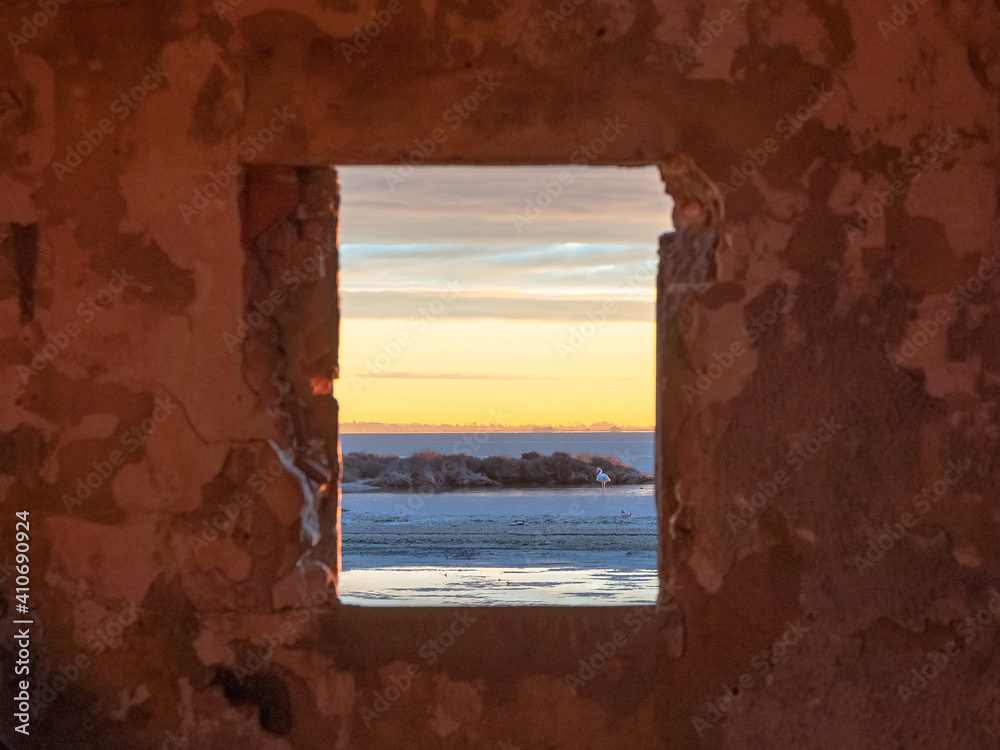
(595, 241)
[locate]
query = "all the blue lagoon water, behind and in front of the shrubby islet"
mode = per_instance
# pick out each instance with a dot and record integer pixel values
(487, 547)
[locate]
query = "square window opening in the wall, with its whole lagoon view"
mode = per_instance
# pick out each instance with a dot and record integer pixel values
(496, 385)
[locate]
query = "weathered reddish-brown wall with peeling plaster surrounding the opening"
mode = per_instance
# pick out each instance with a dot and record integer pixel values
(828, 369)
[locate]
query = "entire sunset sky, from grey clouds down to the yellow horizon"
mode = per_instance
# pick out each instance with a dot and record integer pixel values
(499, 295)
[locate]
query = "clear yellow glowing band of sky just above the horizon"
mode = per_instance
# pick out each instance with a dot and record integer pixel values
(525, 371)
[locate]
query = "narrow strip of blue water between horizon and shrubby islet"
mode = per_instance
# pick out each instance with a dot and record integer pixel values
(633, 448)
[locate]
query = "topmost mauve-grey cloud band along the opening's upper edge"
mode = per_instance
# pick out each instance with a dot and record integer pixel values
(476, 205)
